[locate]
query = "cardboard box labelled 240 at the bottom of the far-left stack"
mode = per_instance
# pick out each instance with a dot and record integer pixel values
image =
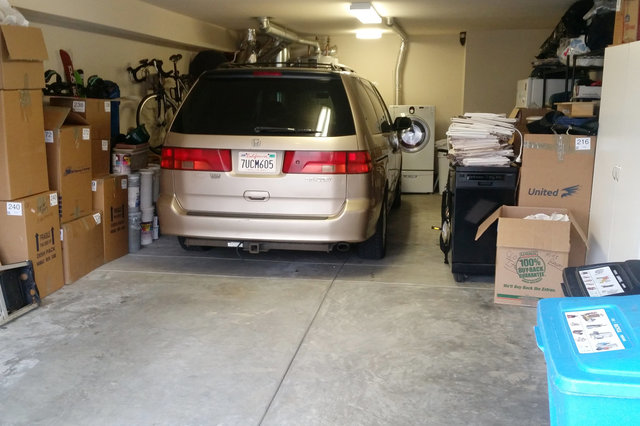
(30, 229)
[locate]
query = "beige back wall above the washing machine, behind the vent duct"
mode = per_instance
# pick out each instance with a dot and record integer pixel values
(481, 76)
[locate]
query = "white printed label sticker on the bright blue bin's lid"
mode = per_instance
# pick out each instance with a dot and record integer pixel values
(593, 331)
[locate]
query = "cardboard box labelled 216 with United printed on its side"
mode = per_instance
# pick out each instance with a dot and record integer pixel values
(557, 171)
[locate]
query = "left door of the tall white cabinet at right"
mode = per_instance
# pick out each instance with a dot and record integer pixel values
(614, 117)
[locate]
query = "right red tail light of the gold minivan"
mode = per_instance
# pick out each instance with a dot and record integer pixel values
(326, 162)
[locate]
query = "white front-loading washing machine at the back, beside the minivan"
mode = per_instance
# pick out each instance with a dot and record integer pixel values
(417, 166)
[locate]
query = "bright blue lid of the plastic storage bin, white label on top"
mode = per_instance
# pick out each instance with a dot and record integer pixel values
(591, 344)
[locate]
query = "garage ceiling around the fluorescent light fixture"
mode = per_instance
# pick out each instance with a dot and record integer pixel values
(417, 17)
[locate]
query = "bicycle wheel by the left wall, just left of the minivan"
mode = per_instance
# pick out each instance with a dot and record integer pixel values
(156, 112)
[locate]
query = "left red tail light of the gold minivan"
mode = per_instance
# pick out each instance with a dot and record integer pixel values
(199, 159)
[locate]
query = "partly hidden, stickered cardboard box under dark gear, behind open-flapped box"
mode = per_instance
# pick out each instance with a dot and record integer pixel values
(97, 112)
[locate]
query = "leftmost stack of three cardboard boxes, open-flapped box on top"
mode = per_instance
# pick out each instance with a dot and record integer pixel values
(29, 223)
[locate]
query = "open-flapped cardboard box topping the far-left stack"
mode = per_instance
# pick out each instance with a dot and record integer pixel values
(23, 51)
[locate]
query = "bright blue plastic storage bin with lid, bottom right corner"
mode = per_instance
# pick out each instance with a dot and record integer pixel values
(592, 352)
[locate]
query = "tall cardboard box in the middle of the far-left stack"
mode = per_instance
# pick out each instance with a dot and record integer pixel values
(23, 158)
